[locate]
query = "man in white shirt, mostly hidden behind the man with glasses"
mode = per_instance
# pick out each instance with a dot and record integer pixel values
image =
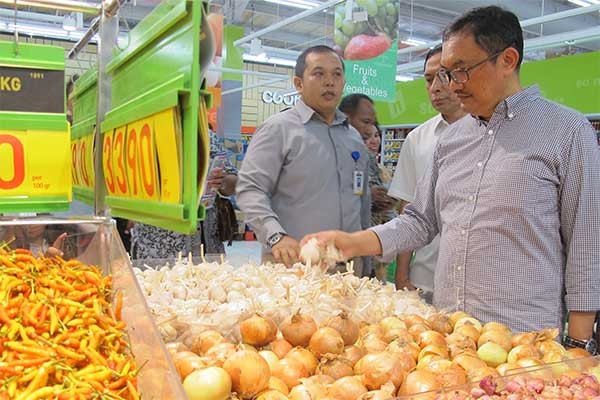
(416, 153)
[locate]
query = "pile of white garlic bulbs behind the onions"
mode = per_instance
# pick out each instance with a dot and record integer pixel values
(186, 298)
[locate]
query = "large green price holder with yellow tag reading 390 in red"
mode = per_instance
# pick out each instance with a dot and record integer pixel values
(153, 156)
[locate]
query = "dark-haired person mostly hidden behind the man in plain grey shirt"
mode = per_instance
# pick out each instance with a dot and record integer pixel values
(361, 114)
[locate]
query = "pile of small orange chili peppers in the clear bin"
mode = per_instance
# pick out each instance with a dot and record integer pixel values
(60, 338)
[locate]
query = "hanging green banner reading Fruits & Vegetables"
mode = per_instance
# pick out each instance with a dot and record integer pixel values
(366, 37)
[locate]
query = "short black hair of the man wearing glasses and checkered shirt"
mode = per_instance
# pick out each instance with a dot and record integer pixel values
(493, 29)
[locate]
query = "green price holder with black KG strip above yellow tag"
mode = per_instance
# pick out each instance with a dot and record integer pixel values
(35, 161)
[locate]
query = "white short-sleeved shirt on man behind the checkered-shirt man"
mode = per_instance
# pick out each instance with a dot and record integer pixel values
(415, 156)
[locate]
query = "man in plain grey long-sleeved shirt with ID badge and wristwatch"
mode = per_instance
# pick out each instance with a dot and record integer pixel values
(305, 168)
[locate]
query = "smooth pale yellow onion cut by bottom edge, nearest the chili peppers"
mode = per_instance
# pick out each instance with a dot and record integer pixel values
(212, 383)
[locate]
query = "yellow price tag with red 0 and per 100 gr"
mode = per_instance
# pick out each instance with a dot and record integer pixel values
(35, 163)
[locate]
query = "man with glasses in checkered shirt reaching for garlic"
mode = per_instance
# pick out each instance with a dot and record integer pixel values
(514, 190)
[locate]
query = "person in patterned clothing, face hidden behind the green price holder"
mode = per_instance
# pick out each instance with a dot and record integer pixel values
(219, 225)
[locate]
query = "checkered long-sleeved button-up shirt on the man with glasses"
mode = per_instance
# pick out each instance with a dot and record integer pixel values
(517, 202)
